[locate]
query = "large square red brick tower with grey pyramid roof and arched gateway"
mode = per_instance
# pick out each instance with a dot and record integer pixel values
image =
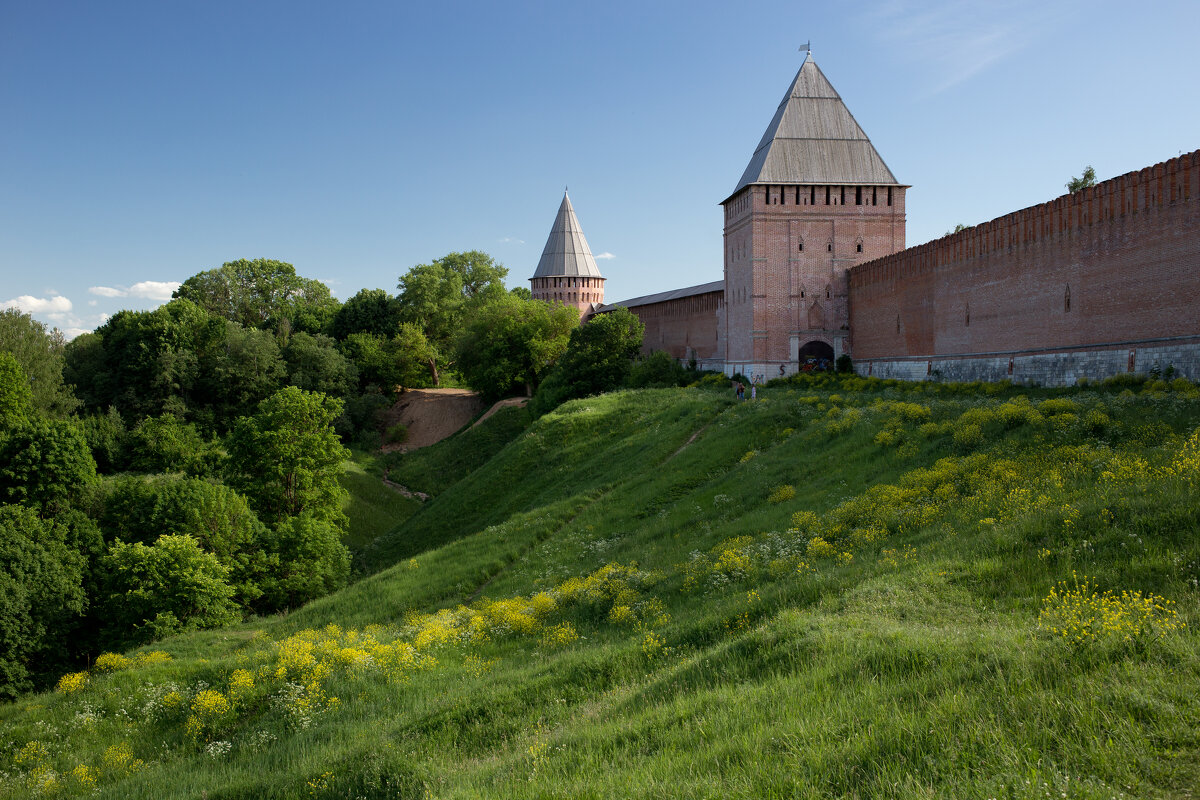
(815, 201)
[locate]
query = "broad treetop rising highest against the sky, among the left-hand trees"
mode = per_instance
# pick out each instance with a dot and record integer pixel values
(262, 293)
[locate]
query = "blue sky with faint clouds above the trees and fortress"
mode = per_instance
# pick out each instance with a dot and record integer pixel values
(145, 142)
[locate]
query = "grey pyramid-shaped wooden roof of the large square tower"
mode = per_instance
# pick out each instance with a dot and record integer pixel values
(814, 140)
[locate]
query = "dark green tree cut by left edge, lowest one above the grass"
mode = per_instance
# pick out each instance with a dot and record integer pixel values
(41, 594)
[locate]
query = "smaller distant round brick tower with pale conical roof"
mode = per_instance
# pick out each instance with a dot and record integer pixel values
(567, 273)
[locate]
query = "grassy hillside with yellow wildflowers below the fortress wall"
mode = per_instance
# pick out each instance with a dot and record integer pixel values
(629, 600)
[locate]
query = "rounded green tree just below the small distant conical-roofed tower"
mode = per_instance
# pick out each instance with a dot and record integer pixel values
(512, 344)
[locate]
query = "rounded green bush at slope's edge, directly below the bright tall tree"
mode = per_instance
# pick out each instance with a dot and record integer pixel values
(313, 563)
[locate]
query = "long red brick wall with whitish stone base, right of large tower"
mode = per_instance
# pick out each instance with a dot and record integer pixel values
(1102, 281)
